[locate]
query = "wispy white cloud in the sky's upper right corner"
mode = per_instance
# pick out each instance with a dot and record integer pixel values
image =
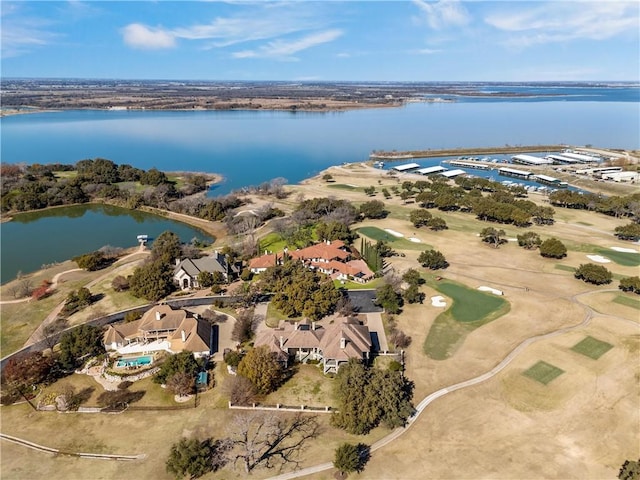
(565, 21)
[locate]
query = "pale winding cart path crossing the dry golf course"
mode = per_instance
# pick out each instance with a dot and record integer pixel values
(589, 314)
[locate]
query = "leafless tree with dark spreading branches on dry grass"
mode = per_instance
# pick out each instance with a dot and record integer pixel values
(270, 441)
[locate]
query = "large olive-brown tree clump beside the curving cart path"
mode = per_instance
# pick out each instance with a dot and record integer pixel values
(368, 397)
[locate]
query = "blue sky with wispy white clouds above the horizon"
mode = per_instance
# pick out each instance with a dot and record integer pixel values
(416, 40)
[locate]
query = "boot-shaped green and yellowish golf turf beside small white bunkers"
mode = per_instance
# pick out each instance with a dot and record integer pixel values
(471, 309)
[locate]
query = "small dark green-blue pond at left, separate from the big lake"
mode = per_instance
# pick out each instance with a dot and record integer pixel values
(36, 238)
